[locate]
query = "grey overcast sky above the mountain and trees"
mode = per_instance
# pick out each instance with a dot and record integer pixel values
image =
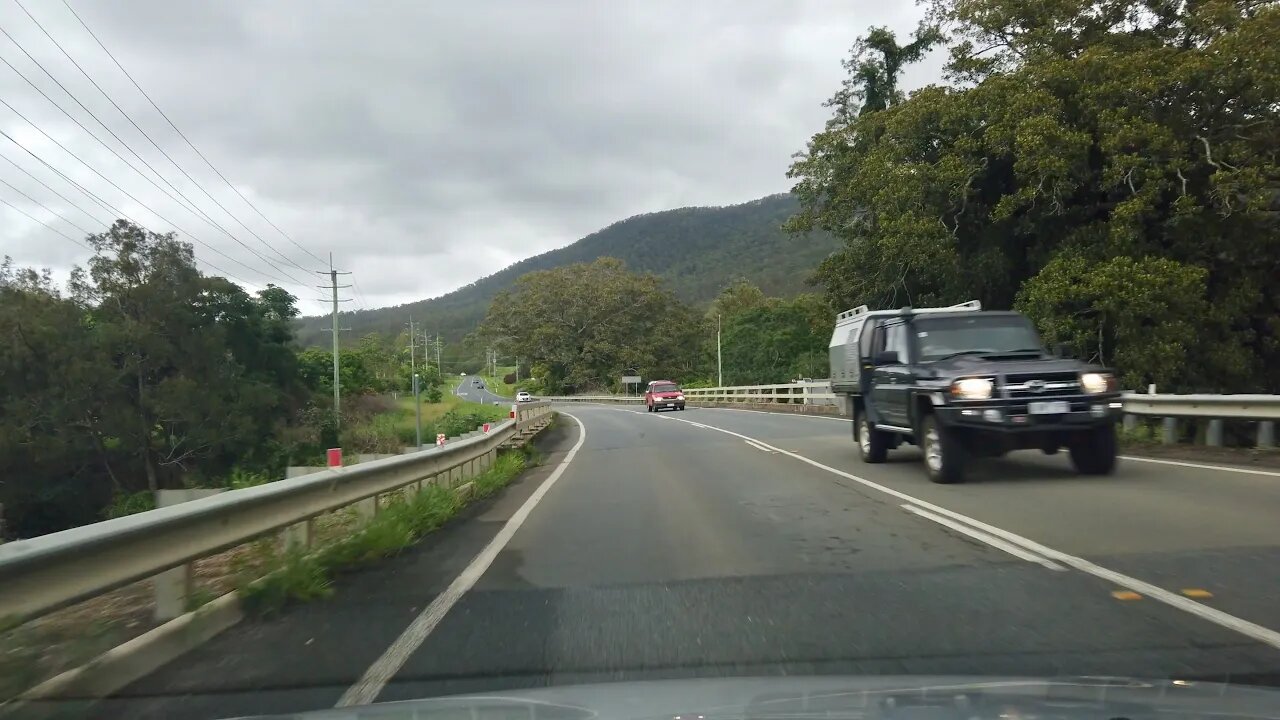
(426, 144)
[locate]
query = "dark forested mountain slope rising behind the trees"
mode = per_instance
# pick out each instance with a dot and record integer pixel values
(697, 250)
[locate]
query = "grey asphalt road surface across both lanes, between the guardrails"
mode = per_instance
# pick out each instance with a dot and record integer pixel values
(728, 544)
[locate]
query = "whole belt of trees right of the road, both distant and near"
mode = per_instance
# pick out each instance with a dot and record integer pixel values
(1110, 170)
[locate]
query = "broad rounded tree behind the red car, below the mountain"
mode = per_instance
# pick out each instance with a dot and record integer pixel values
(584, 325)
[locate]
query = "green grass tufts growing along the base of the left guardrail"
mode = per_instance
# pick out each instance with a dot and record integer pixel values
(299, 577)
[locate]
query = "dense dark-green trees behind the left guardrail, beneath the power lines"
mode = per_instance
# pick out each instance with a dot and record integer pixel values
(145, 375)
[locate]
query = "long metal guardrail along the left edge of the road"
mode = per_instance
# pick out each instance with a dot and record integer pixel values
(51, 572)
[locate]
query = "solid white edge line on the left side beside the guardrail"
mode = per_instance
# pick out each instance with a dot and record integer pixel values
(372, 683)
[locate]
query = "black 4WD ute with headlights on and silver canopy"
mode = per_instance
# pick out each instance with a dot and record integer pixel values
(962, 382)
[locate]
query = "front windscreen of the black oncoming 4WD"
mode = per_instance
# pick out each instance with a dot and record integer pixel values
(990, 335)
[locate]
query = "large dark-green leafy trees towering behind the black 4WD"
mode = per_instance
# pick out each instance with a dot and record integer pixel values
(1108, 166)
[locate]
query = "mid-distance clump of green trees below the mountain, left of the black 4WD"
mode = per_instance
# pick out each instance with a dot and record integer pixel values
(586, 326)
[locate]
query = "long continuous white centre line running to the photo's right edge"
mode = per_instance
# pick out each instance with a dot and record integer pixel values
(1260, 634)
